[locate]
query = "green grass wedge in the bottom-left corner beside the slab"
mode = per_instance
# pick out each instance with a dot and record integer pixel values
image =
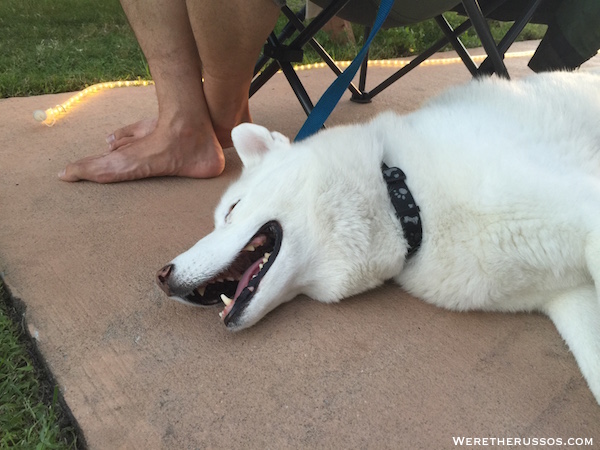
(30, 414)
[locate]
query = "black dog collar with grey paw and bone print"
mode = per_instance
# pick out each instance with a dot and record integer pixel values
(405, 206)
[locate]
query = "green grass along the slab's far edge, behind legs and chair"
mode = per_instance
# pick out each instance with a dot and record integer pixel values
(51, 46)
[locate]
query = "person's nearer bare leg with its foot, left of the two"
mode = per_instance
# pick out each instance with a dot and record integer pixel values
(182, 141)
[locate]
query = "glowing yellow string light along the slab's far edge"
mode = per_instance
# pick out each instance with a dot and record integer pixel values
(50, 115)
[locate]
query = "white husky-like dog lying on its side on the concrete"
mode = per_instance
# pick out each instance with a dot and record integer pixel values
(507, 178)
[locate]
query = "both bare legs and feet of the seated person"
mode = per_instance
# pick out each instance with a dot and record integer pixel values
(182, 141)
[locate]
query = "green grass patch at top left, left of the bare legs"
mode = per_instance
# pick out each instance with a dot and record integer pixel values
(50, 46)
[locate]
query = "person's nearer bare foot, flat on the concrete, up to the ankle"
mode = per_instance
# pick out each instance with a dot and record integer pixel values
(163, 152)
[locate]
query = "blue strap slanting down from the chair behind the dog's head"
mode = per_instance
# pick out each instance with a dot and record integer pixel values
(332, 95)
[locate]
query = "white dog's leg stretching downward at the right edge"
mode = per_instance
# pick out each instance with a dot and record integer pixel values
(576, 315)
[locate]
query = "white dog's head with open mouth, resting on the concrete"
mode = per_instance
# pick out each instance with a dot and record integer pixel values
(291, 224)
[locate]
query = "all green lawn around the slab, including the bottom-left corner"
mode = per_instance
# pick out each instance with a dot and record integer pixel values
(51, 46)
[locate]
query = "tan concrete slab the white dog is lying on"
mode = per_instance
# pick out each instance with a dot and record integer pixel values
(380, 370)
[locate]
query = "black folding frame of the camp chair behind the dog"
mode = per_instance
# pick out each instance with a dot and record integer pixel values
(287, 47)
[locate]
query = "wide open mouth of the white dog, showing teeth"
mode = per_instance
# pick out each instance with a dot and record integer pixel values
(238, 283)
